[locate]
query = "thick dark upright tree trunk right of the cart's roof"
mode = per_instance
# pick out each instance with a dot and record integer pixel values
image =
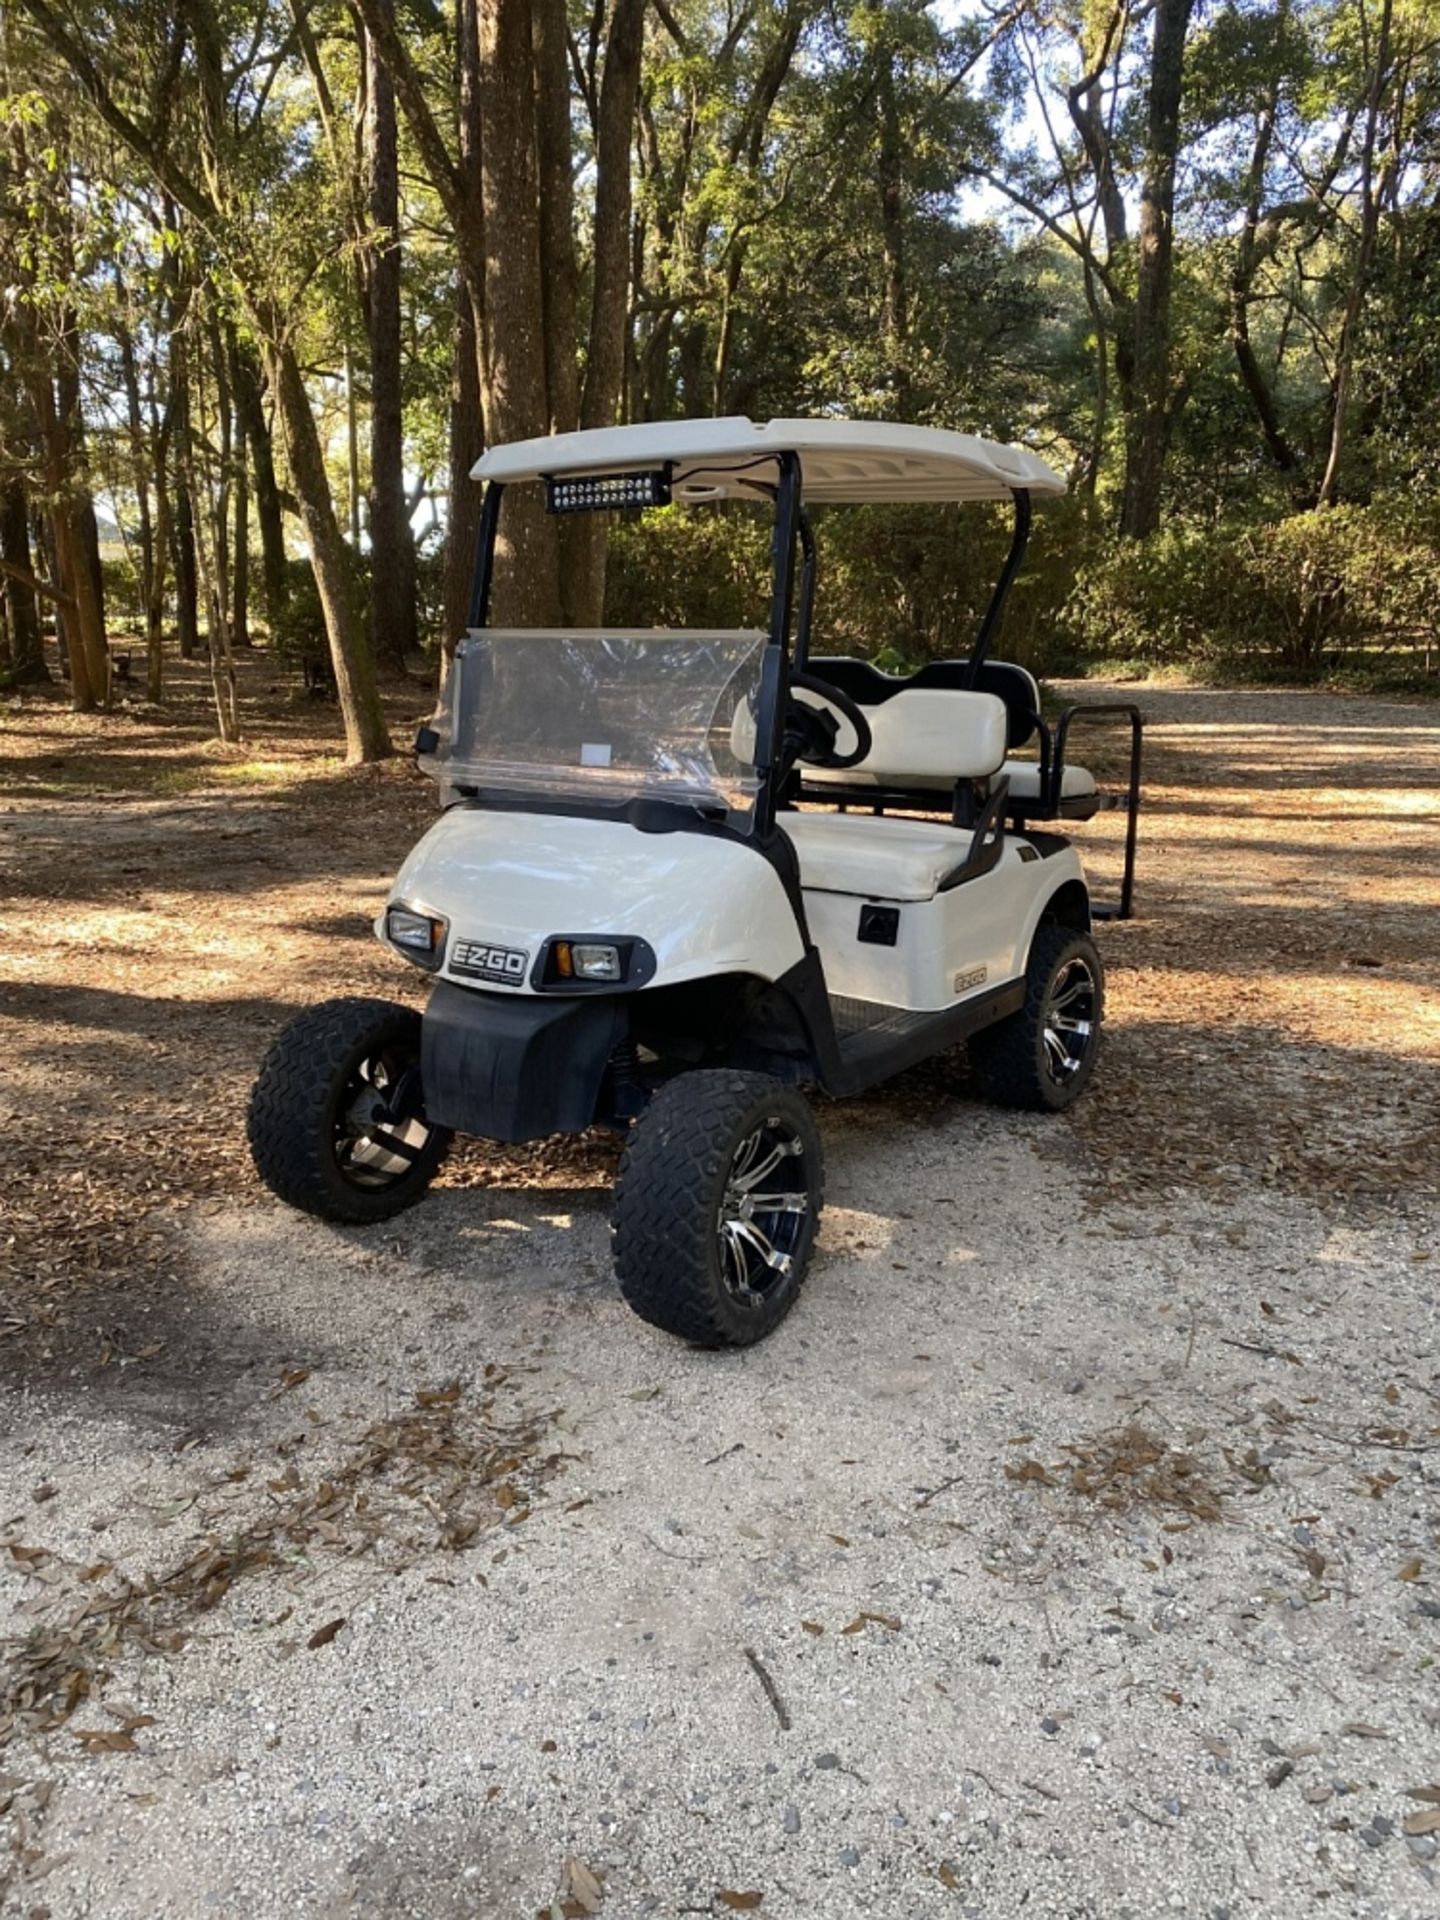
(1151, 389)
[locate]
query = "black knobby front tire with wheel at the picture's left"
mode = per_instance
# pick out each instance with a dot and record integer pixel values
(308, 1132)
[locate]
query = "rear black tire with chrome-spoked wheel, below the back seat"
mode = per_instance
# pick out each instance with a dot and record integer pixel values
(1019, 1059)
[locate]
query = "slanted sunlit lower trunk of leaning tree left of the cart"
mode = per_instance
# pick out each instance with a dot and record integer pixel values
(331, 558)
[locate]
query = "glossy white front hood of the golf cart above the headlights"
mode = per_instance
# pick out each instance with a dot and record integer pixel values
(708, 905)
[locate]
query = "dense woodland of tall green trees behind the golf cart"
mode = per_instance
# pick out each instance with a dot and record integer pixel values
(276, 272)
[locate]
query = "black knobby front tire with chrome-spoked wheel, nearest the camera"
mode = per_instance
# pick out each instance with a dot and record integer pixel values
(683, 1224)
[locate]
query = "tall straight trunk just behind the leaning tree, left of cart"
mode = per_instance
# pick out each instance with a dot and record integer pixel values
(395, 629)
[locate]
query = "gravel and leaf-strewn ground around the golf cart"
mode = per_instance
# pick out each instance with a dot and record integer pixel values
(1084, 1516)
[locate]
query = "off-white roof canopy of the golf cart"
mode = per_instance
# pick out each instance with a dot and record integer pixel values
(840, 460)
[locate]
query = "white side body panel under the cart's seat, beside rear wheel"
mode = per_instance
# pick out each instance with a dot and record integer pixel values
(974, 938)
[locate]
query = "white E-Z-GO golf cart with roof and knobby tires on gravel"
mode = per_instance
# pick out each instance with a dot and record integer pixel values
(684, 875)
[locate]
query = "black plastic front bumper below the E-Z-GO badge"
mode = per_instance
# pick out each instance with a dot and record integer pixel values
(516, 1068)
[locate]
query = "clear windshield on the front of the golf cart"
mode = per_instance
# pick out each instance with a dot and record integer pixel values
(602, 715)
